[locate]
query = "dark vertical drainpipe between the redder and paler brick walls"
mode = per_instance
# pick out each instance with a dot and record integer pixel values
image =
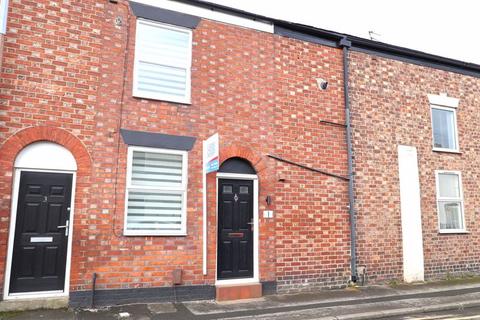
(345, 44)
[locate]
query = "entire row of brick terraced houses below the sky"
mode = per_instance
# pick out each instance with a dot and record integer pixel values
(105, 107)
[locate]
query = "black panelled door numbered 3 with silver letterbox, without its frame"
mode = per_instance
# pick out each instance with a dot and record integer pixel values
(41, 232)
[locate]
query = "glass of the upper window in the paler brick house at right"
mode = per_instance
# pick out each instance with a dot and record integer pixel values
(443, 129)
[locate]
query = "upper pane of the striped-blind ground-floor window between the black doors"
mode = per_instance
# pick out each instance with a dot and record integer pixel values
(156, 169)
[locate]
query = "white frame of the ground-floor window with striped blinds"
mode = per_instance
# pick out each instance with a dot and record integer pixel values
(182, 189)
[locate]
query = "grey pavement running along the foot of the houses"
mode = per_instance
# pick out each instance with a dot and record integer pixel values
(374, 302)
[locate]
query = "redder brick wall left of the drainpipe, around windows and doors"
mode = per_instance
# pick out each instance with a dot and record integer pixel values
(69, 67)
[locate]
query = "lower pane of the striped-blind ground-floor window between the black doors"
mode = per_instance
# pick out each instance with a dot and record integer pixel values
(154, 211)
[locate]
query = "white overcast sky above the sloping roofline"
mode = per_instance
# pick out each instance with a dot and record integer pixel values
(446, 28)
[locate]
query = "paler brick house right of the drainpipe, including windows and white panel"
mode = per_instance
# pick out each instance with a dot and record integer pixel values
(416, 168)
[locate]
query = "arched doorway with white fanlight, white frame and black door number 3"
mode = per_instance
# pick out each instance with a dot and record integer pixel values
(39, 247)
